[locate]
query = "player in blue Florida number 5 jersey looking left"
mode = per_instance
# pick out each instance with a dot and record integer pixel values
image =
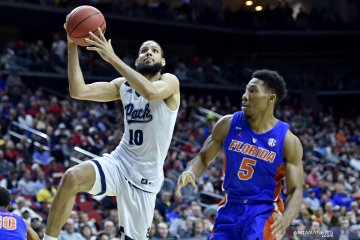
(260, 151)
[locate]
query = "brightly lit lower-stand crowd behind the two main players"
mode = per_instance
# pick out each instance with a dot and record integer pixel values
(32, 166)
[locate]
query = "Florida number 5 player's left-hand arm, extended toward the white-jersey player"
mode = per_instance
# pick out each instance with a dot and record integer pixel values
(211, 148)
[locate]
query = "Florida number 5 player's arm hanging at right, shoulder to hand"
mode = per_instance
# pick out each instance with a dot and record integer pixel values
(293, 153)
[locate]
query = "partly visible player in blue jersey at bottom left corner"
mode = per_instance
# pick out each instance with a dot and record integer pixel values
(13, 226)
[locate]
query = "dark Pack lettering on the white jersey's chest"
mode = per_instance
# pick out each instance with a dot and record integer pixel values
(141, 115)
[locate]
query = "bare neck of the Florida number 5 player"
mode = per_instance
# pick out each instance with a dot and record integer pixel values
(262, 123)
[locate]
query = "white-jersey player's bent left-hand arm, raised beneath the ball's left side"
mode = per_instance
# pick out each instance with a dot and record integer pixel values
(98, 91)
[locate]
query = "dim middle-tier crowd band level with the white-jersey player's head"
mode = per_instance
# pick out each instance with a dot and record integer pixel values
(23, 56)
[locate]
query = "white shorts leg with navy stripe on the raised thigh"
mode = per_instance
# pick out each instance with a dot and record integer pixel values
(106, 177)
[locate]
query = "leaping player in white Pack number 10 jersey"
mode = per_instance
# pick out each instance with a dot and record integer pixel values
(133, 172)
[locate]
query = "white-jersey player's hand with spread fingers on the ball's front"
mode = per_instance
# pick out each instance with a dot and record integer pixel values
(102, 46)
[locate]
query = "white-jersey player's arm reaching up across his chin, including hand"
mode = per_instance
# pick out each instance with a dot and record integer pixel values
(152, 91)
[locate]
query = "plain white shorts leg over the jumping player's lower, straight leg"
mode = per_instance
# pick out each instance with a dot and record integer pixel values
(136, 211)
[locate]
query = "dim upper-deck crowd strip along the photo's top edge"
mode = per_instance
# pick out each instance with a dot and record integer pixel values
(212, 13)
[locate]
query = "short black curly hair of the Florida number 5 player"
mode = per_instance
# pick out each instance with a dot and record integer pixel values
(274, 81)
